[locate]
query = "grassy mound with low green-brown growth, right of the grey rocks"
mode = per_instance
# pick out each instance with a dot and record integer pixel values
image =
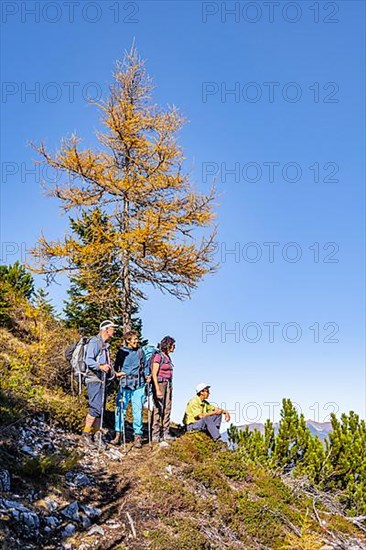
(195, 495)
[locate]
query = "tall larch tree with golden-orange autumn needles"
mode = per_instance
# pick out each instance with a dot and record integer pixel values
(149, 205)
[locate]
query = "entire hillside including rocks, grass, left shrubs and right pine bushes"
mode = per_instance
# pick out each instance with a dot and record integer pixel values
(55, 493)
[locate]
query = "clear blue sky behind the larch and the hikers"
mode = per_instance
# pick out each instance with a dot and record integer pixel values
(292, 135)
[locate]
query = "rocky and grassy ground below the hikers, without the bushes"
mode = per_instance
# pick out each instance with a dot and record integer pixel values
(193, 495)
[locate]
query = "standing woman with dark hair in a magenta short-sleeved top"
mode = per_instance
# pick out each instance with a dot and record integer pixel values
(162, 376)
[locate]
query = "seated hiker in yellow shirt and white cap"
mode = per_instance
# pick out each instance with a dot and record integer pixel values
(202, 416)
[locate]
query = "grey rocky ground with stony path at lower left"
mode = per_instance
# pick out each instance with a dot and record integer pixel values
(46, 508)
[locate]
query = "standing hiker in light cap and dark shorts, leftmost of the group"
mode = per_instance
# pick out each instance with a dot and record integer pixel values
(98, 368)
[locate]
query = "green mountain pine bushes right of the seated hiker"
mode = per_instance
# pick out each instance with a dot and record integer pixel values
(338, 467)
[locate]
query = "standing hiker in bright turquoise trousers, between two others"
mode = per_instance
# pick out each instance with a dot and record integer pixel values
(134, 372)
